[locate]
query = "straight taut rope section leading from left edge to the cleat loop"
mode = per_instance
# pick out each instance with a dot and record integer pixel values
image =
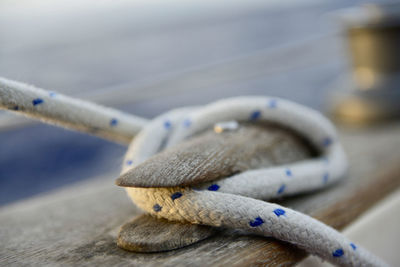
(68, 112)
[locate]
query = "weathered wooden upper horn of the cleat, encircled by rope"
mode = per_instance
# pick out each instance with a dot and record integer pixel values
(212, 155)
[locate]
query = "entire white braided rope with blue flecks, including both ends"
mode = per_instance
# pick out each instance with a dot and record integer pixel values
(229, 202)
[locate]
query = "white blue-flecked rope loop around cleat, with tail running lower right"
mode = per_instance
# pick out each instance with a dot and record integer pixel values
(234, 201)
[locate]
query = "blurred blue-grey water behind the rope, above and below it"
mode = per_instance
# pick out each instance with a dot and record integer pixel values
(146, 57)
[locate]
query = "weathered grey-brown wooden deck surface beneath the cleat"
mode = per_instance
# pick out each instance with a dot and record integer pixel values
(79, 225)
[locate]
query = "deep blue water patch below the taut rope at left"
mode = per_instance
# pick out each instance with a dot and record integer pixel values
(40, 158)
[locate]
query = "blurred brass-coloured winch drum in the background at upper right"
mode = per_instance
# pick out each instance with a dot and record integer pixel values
(373, 37)
